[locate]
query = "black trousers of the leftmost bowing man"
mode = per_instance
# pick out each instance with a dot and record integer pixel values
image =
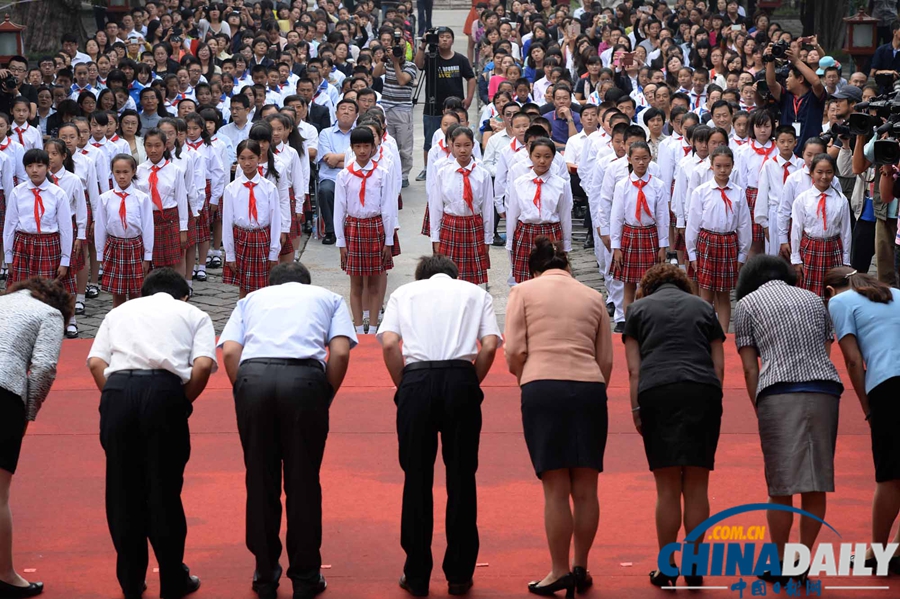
(144, 432)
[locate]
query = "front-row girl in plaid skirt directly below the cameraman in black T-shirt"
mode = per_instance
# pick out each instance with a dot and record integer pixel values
(462, 212)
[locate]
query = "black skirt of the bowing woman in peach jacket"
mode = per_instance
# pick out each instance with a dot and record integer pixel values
(565, 423)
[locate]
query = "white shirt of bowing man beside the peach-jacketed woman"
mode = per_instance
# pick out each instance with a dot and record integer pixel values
(459, 315)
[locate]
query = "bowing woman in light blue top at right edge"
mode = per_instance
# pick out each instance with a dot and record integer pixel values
(866, 316)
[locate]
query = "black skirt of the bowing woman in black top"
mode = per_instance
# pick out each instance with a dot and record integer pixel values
(680, 424)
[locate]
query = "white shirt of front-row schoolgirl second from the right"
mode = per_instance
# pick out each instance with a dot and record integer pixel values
(709, 211)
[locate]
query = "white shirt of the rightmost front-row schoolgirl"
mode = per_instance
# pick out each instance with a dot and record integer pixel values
(807, 218)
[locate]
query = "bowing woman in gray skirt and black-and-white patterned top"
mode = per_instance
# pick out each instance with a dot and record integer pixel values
(784, 334)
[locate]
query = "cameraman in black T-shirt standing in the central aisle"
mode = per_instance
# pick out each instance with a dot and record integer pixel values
(452, 67)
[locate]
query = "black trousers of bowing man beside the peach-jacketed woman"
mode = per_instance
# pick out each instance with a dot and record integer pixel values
(446, 401)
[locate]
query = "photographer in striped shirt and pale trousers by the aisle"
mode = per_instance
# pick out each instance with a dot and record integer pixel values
(397, 93)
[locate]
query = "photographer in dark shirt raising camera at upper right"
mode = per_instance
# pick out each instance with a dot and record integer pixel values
(802, 98)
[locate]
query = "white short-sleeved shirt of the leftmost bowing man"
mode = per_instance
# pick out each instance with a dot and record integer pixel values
(155, 333)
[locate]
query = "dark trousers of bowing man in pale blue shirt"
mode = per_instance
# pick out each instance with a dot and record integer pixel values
(282, 416)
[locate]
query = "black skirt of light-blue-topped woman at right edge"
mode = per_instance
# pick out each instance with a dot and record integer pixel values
(884, 410)
